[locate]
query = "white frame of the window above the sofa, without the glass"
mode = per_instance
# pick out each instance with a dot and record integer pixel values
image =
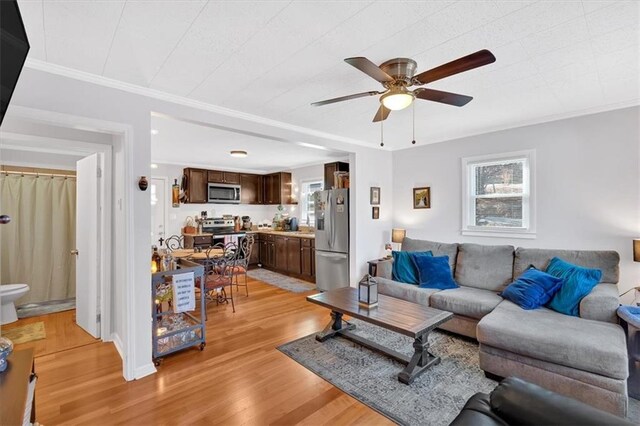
(528, 196)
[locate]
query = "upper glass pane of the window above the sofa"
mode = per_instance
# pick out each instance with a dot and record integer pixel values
(499, 178)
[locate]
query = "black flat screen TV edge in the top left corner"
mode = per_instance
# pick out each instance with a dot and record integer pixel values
(14, 47)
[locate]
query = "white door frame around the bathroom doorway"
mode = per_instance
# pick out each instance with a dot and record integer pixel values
(122, 135)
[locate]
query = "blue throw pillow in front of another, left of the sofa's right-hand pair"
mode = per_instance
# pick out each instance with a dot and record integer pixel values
(532, 289)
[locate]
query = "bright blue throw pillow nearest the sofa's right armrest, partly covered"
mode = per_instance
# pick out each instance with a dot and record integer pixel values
(577, 283)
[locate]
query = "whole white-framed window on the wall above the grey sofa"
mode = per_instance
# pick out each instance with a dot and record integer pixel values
(498, 195)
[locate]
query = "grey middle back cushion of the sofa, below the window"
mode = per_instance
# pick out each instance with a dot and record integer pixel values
(484, 267)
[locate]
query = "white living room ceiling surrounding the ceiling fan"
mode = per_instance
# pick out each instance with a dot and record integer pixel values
(272, 59)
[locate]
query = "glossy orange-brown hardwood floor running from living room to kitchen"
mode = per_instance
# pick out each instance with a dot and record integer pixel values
(240, 378)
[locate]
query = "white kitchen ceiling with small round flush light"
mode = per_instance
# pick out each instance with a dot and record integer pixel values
(197, 145)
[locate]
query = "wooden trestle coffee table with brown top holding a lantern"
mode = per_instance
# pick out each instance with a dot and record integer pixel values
(393, 314)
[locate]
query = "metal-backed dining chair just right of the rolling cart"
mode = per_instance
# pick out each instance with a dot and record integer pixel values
(218, 269)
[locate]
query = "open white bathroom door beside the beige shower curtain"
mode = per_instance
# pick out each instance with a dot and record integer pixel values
(88, 240)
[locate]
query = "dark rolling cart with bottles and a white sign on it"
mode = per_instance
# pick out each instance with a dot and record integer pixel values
(173, 331)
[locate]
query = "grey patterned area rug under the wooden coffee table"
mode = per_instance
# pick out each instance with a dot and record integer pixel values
(434, 398)
